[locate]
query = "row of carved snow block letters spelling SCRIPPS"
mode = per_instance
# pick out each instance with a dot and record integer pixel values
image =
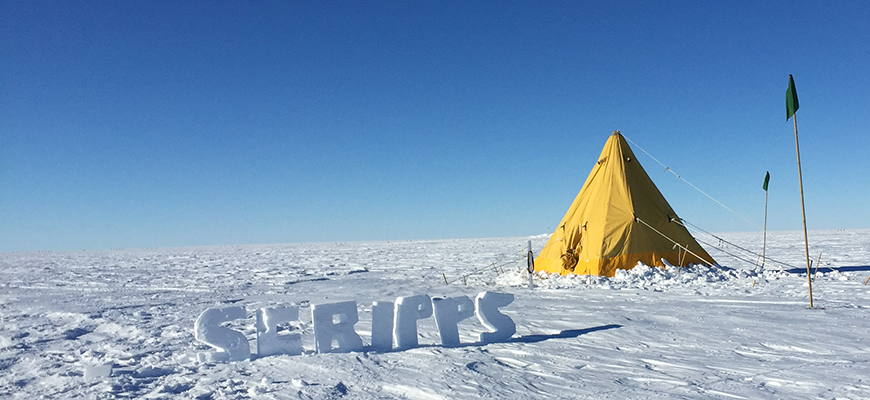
(334, 325)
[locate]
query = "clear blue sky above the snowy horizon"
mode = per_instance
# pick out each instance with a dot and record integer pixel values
(158, 123)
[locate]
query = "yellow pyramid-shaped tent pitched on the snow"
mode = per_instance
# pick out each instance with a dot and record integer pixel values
(606, 227)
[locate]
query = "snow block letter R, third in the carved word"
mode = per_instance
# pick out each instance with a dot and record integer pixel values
(334, 323)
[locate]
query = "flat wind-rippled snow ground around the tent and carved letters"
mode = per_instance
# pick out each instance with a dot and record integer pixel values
(646, 333)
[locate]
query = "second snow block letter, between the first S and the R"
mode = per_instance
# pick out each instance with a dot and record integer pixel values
(269, 342)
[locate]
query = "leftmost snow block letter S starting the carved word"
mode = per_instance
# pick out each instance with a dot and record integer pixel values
(230, 345)
